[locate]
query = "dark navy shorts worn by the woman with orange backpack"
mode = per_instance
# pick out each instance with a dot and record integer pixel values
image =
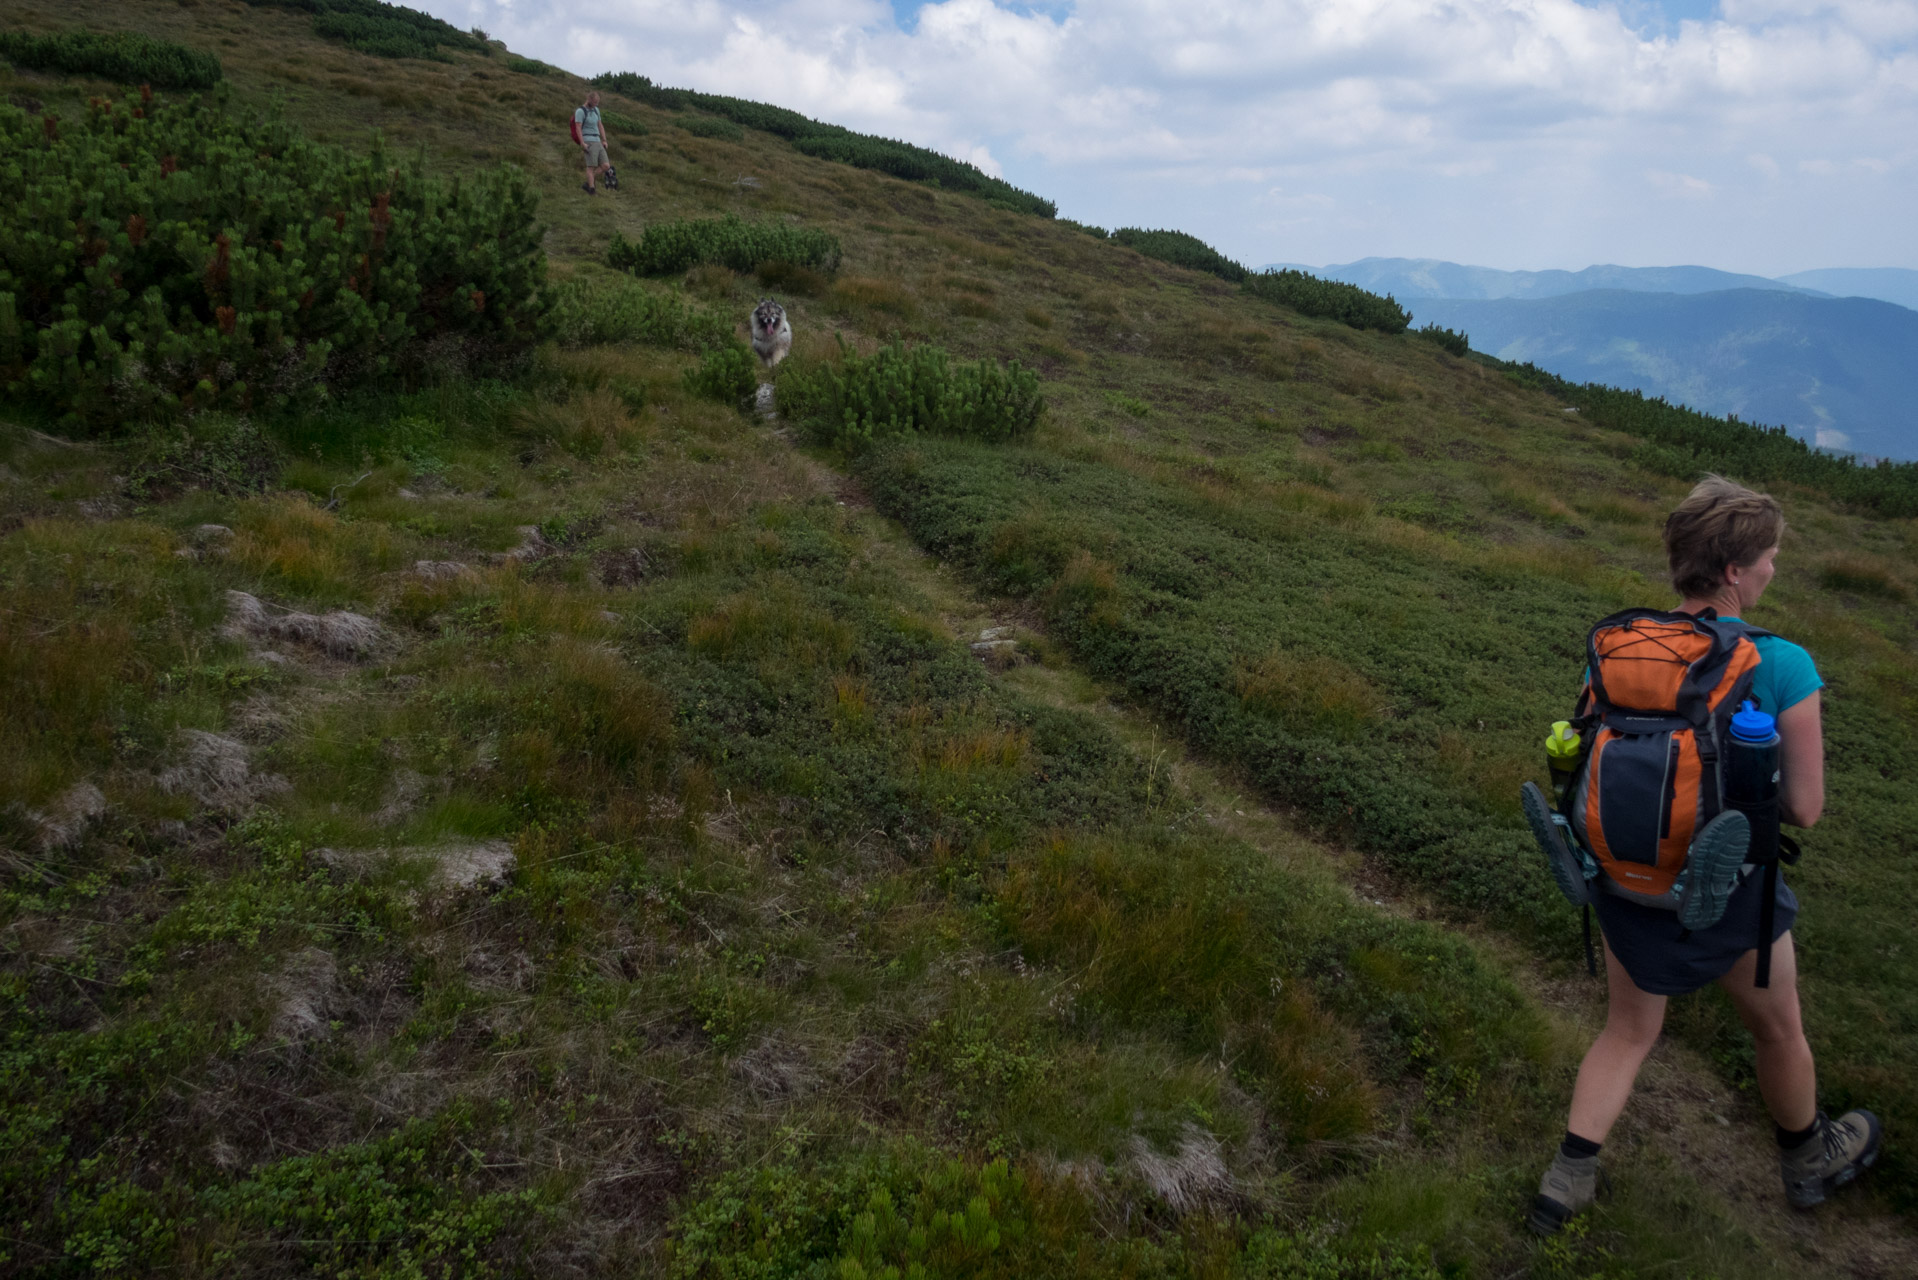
(1668, 962)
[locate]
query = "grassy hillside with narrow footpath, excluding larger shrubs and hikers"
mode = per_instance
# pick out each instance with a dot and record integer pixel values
(536, 818)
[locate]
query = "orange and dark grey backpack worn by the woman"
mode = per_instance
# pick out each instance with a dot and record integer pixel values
(1654, 721)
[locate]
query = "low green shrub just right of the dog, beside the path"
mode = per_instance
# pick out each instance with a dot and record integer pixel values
(899, 391)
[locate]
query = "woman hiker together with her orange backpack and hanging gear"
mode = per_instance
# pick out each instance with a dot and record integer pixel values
(1658, 841)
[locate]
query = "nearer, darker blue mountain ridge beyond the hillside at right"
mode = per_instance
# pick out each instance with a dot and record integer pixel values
(1840, 371)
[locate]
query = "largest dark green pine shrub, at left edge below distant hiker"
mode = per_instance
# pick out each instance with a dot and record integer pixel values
(162, 256)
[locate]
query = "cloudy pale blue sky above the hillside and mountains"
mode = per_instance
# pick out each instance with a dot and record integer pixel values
(1748, 135)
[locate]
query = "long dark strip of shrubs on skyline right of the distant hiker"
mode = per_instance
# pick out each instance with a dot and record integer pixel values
(822, 141)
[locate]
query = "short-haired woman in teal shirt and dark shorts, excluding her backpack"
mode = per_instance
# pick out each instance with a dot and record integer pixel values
(1721, 544)
